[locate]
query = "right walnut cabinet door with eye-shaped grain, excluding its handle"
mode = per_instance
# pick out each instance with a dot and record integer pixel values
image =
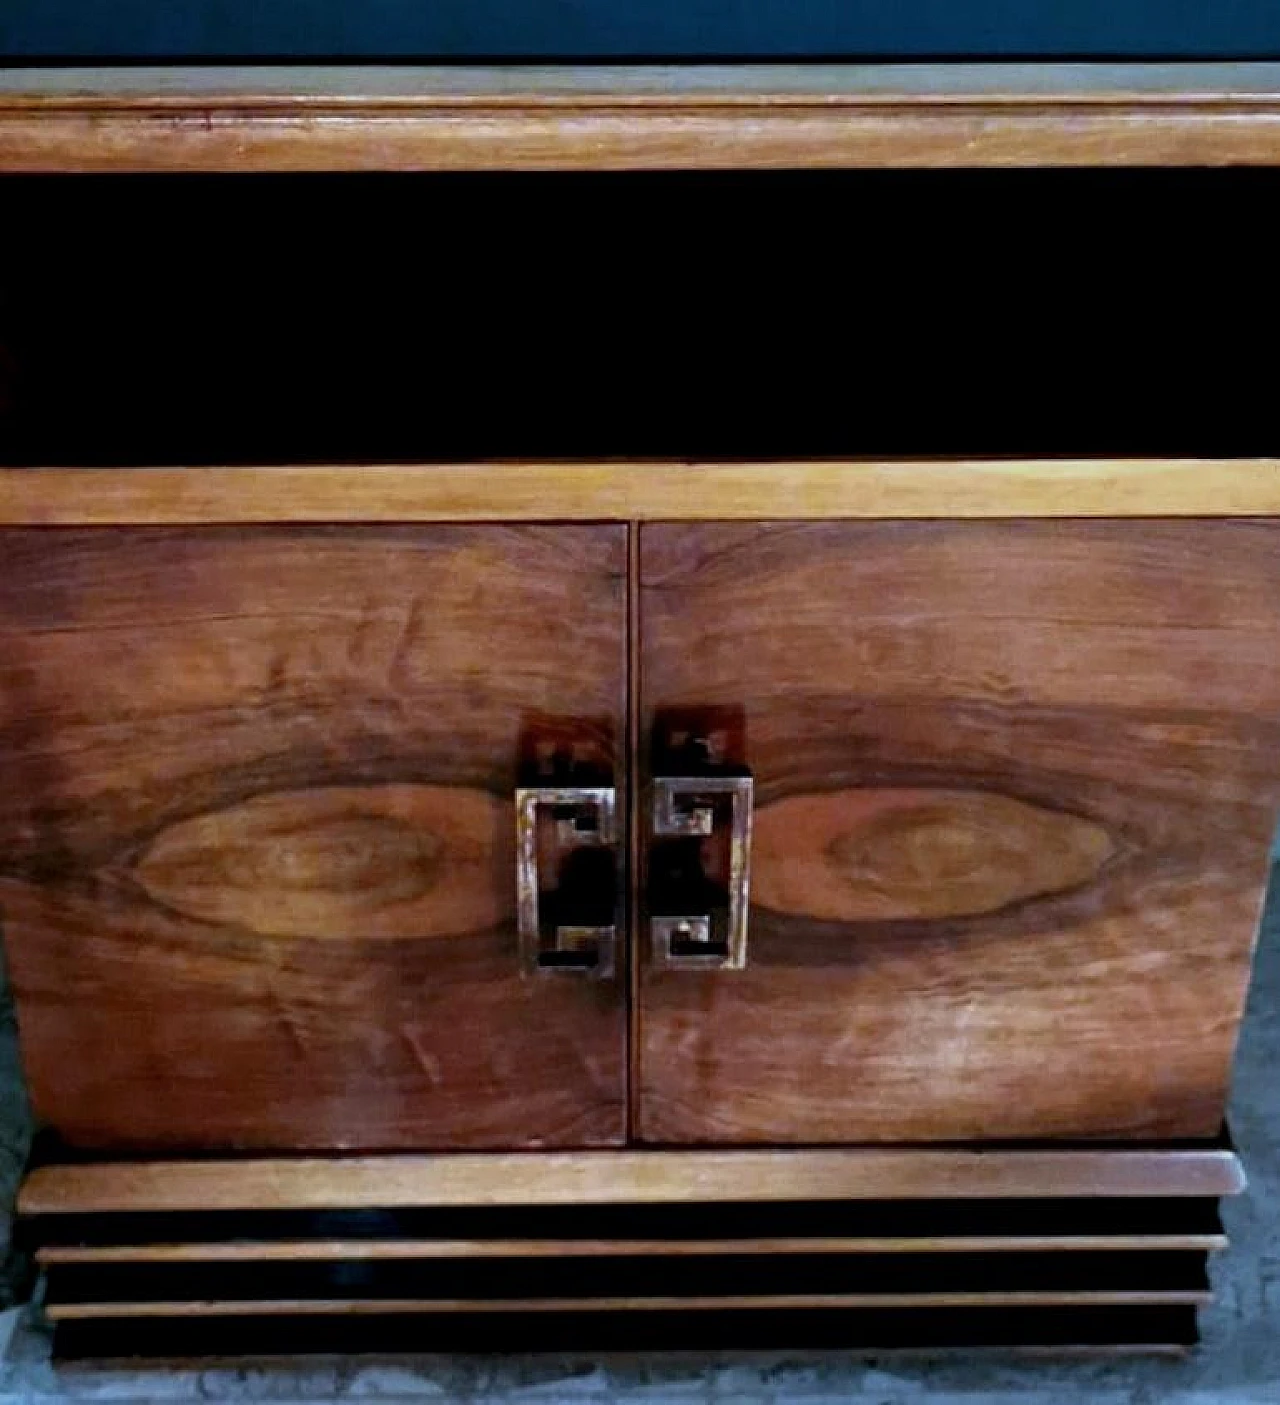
(1015, 785)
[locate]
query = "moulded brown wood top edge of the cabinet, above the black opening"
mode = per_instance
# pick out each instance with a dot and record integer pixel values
(596, 117)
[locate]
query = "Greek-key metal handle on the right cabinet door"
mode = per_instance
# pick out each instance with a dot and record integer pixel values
(699, 920)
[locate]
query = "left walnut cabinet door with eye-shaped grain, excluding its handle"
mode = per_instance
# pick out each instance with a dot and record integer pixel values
(258, 852)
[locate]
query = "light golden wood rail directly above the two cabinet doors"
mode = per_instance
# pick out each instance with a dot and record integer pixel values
(643, 492)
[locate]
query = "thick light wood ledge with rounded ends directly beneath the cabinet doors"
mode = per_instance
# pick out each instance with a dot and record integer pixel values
(625, 1178)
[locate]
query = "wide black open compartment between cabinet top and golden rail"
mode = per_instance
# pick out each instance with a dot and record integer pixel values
(417, 318)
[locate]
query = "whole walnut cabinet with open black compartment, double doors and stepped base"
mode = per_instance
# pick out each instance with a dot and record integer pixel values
(709, 783)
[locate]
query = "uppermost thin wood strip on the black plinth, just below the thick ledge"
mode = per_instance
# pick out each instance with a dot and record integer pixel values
(377, 1250)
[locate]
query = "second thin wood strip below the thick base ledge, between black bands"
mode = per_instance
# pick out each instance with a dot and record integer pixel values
(771, 1302)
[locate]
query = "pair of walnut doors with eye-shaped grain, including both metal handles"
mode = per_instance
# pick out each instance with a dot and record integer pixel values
(320, 838)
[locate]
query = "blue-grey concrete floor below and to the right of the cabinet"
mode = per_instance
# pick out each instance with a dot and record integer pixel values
(1239, 1362)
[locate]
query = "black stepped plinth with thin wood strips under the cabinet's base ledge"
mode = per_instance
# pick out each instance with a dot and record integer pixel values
(1036, 1271)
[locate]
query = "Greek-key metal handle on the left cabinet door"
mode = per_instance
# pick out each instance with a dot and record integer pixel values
(570, 832)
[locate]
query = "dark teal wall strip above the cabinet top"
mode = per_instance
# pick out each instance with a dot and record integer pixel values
(601, 29)
